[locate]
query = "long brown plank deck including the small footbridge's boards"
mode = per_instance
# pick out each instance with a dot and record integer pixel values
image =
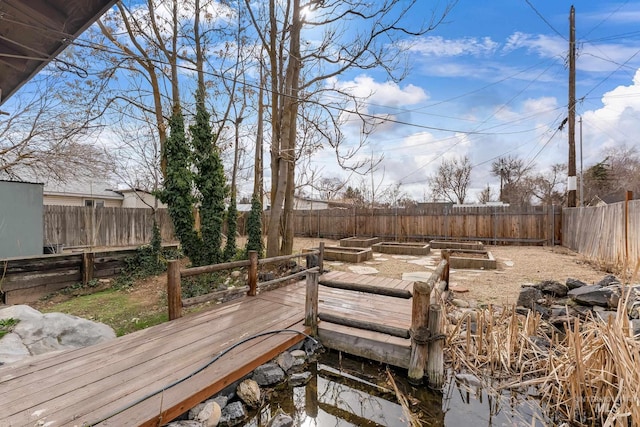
(96, 385)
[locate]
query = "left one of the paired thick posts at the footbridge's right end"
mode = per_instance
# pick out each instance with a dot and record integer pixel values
(419, 331)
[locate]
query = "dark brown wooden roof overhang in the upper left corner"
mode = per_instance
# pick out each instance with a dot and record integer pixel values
(33, 33)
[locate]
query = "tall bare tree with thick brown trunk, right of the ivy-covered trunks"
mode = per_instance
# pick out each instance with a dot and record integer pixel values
(375, 32)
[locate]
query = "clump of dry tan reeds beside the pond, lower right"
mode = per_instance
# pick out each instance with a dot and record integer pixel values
(589, 375)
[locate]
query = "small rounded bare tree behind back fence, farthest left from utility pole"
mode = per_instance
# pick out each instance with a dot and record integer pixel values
(451, 180)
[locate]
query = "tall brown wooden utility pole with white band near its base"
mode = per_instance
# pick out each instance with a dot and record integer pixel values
(571, 181)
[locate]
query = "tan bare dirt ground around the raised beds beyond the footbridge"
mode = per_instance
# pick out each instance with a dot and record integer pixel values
(516, 265)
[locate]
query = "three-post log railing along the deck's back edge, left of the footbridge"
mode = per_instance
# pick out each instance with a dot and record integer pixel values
(175, 275)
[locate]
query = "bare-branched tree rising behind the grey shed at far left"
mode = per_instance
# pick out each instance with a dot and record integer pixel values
(46, 137)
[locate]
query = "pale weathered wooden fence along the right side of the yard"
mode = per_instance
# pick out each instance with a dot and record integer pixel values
(608, 235)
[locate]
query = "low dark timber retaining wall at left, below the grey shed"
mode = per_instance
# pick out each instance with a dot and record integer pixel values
(27, 279)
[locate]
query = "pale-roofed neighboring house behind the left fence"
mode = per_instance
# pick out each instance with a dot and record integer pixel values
(97, 195)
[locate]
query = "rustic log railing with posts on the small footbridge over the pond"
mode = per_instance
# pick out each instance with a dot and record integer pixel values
(427, 318)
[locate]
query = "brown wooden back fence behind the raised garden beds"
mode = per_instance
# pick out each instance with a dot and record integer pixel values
(494, 225)
